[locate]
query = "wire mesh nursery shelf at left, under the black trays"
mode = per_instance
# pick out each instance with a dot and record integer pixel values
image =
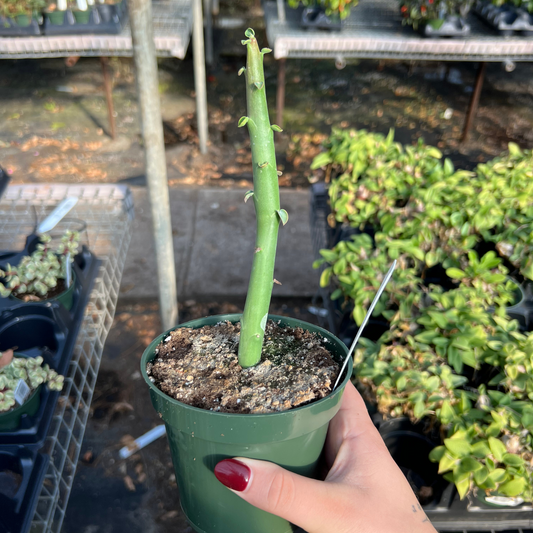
(108, 213)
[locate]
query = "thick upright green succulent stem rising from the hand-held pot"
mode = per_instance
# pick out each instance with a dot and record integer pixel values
(267, 206)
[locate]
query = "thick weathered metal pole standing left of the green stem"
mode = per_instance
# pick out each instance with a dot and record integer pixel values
(140, 12)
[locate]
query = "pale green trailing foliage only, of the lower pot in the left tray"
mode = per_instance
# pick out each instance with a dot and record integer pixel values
(32, 371)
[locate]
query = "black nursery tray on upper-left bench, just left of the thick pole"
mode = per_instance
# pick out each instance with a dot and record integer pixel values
(103, 19)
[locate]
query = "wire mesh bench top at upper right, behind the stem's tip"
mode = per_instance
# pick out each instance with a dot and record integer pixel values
(374, 30)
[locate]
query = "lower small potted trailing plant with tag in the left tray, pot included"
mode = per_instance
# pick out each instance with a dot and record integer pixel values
(21, 378)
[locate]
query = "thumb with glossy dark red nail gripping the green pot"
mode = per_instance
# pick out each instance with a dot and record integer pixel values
(308, 503)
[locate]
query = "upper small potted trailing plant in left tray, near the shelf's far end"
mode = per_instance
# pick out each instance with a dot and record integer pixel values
(45, 274)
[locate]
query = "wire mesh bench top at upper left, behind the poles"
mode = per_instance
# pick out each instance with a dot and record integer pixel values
(172, 30)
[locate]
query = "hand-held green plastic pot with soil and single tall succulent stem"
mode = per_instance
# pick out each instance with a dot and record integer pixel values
(255, 419)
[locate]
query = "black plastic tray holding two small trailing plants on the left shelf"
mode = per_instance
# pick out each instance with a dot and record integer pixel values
(45, 329)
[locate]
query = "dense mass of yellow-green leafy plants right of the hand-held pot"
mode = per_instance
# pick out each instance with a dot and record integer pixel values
(452, 355)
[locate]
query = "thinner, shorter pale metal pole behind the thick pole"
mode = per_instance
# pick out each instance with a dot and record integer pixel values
(199, 74)
